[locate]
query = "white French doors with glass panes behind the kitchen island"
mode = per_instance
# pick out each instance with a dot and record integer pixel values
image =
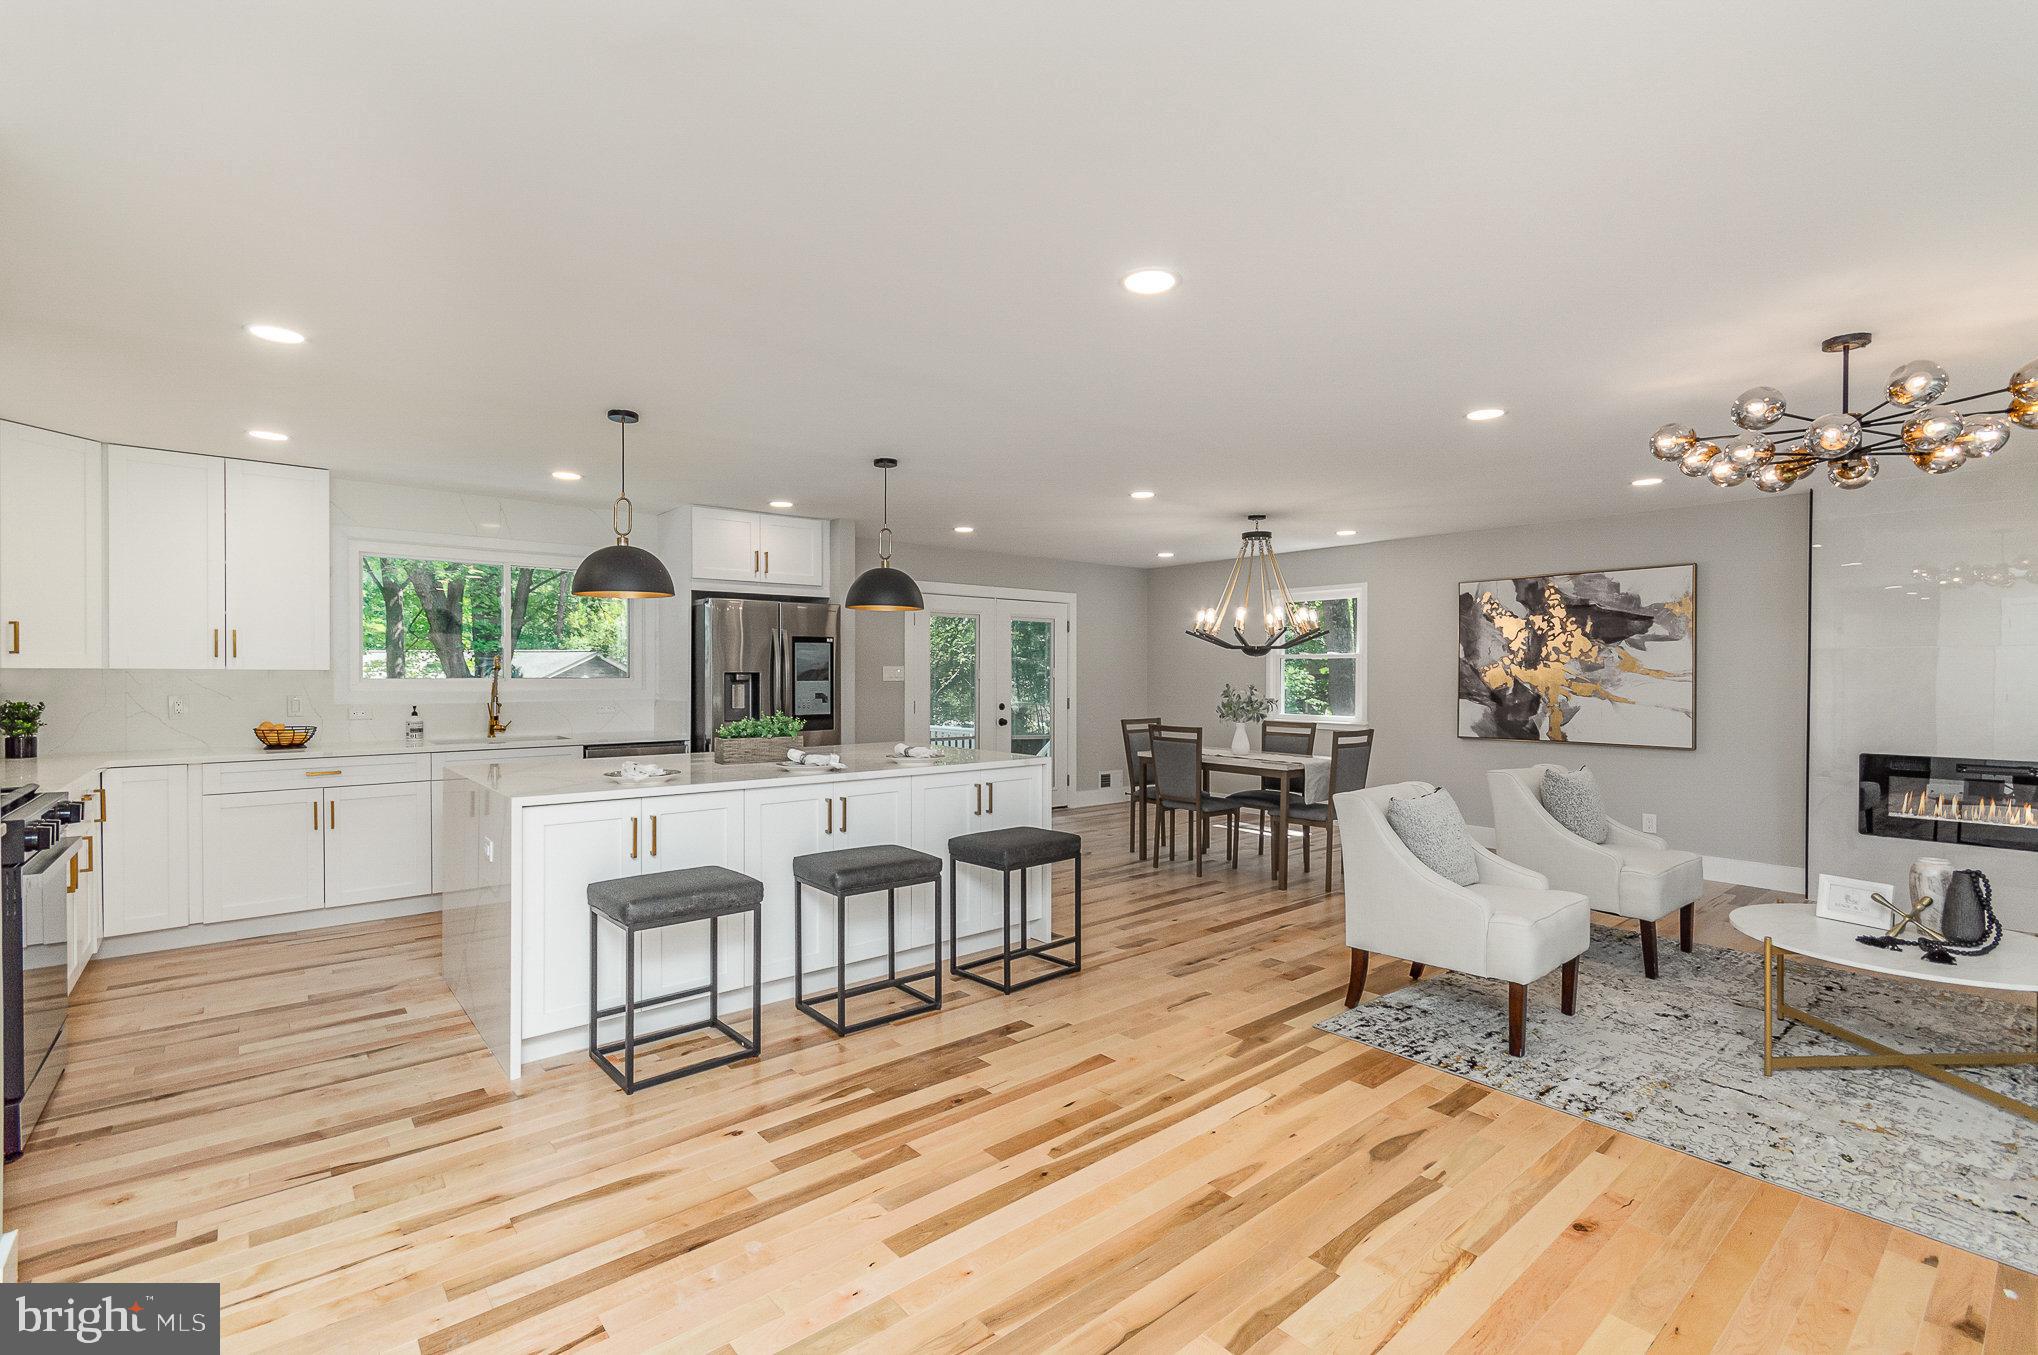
(994, 673)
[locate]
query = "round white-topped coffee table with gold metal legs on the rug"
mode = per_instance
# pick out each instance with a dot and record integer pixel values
(1796, 930)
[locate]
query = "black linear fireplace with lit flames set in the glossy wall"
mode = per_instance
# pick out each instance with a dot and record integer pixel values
(1970, 802)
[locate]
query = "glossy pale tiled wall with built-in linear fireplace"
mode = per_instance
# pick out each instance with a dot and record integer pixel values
(1925, 675)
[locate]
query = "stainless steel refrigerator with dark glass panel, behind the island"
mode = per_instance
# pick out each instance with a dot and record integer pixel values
(759, 657)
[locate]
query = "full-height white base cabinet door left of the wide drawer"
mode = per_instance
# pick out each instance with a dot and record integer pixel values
(146, 849)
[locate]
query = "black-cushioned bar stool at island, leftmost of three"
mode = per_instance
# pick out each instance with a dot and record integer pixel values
(665, 900)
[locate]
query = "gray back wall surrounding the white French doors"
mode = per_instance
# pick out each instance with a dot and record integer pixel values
(1112, 645)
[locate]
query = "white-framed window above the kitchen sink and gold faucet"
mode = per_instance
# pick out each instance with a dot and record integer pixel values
(431, 614)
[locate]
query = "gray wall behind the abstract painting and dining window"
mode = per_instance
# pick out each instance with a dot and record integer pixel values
(1739, 796)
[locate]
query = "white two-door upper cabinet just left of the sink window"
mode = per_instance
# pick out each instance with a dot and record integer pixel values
(215, 563)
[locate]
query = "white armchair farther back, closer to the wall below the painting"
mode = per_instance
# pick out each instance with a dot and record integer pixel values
(1631, 875)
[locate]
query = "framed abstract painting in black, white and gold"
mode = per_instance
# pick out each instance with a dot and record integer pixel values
(1605, 657)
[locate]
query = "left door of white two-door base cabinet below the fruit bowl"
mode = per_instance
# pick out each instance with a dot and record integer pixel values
(264, 855)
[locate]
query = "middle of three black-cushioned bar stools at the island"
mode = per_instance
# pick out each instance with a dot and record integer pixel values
(865, 871)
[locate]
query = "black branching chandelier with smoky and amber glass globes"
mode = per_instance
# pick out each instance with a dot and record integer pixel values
(1921, 425)
